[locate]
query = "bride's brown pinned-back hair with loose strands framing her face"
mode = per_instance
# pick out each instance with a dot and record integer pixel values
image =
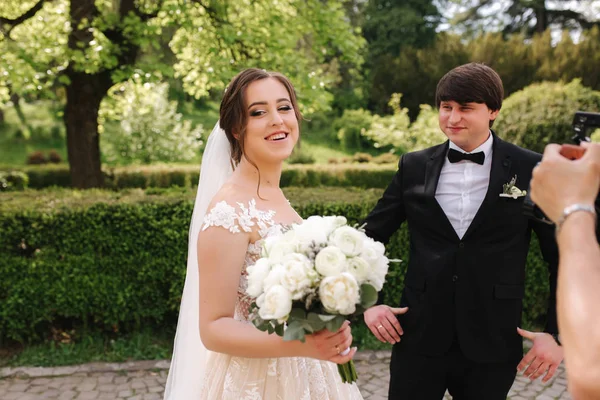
(233, 111)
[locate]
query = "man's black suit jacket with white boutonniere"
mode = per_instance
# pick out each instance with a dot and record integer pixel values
(472, 288)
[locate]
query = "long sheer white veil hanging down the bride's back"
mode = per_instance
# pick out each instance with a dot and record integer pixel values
(186, 374)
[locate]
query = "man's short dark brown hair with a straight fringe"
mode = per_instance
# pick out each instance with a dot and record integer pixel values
(471, 83)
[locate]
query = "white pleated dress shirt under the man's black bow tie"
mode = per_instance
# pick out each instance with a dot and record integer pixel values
(463, 186)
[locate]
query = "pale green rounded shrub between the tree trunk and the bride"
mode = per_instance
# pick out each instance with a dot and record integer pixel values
(151, 129)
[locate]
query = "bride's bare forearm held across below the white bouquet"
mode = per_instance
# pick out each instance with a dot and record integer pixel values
(240, 339)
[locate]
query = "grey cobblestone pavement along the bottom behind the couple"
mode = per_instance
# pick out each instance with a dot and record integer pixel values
(145, 380)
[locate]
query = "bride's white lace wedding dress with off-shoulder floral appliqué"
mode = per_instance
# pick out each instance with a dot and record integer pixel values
(238, 378)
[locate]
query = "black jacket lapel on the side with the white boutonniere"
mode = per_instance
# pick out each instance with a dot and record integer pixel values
(499, 175)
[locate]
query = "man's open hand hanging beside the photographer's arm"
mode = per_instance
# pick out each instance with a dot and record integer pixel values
(543, 358)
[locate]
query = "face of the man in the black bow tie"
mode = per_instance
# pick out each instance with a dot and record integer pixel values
(466, 124)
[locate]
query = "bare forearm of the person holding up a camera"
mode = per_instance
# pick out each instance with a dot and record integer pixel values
(578, 299)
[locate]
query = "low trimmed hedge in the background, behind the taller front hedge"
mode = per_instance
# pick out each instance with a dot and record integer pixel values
(366, 176)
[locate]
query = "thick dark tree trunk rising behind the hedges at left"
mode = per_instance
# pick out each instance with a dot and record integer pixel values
(84, 94)
